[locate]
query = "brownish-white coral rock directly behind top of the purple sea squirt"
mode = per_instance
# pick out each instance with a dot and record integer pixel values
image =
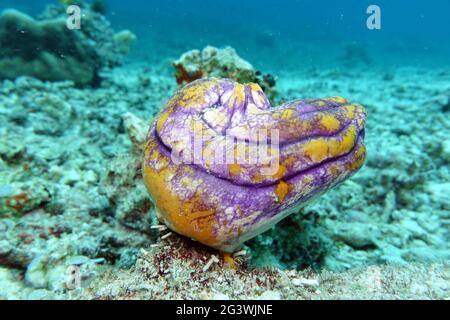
(221, 63)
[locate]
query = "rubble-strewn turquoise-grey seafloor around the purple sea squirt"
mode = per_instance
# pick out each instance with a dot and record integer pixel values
(84, 209)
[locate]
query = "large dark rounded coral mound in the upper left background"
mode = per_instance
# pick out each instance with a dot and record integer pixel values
(46, 49)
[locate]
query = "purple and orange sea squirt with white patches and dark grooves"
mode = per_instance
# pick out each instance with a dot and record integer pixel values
(221, 204)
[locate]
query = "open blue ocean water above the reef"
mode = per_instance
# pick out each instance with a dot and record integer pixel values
(284, 33)
